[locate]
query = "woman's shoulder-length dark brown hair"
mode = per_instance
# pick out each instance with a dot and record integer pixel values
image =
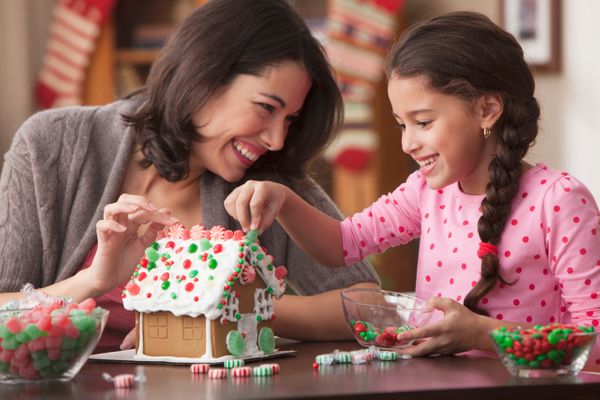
(216, 43)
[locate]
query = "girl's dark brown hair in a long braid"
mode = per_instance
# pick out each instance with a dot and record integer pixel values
(467, 55)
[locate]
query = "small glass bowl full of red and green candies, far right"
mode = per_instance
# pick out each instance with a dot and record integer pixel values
(544, 351)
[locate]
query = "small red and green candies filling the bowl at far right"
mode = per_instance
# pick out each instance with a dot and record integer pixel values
(543, 346)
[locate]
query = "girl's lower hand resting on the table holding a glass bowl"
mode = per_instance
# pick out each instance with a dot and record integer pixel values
(460, 330)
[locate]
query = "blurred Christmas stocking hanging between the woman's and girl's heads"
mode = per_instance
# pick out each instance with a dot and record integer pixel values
(359, 33)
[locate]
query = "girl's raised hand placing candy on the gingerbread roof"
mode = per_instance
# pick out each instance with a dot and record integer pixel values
(256, 204)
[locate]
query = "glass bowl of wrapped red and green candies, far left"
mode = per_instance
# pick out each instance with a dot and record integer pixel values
(48, 343)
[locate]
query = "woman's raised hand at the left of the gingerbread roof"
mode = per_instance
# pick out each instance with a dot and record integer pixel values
(120, 246)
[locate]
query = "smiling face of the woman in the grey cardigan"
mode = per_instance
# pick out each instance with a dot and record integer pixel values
(248, 118)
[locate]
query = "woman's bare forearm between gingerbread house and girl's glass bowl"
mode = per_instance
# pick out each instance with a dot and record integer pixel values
(316, 317)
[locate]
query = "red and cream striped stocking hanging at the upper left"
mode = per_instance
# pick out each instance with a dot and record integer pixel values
(73, 37)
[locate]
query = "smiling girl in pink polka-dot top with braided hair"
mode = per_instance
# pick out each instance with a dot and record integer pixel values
(502, 242)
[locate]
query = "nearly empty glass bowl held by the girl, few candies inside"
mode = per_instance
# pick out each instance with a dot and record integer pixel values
(376, 316)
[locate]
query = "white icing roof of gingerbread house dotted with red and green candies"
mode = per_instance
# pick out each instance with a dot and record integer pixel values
(187, 272)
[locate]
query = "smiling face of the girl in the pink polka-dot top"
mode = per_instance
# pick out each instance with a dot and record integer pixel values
(443, 134)
